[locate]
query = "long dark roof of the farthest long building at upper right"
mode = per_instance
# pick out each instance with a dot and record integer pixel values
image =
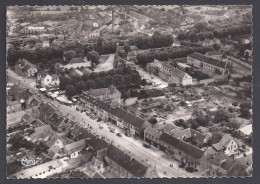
(208, 60)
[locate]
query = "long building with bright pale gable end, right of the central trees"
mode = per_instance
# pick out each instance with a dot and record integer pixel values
(169, 73)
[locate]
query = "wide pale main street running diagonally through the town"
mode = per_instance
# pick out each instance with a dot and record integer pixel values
(156, 158)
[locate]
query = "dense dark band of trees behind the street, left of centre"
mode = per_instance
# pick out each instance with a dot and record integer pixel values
(122, 78)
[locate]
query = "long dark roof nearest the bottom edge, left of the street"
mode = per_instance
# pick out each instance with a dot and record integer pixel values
(136, 168)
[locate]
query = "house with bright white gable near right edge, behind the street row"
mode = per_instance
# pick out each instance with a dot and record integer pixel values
(228, 145)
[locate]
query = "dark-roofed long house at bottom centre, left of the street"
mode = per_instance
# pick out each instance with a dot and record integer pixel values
(124, 165)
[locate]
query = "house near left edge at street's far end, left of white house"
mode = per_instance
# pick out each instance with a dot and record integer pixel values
(25, 68)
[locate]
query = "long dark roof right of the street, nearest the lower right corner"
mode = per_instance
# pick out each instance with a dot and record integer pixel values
(182, 146)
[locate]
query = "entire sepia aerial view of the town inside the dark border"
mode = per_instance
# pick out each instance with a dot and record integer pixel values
(129, 91)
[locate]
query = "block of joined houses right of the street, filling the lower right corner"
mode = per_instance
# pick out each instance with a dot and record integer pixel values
(189, 148)
